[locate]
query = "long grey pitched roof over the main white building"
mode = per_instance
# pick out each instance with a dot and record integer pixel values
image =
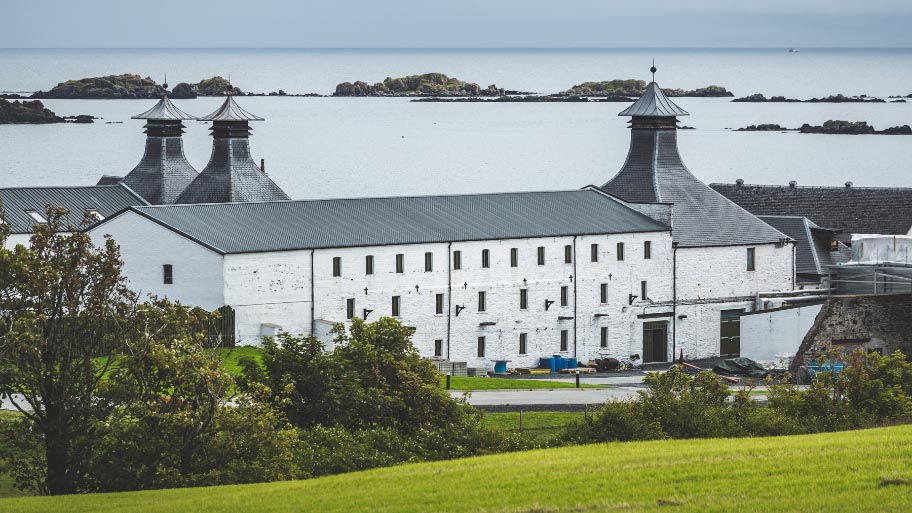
(289, 225)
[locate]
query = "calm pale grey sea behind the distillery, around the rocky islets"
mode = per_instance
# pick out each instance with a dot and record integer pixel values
(356, 147)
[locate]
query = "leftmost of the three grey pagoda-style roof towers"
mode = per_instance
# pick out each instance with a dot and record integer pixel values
(163, 173)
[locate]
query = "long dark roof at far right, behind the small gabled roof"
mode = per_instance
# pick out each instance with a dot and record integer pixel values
(883, 210)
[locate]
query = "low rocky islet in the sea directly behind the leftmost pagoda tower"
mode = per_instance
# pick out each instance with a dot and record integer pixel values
(108, 87)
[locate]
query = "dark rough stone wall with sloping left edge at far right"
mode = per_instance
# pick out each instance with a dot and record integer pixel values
(881, 323)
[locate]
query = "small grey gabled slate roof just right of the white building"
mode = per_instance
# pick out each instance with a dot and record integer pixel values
(812, 253)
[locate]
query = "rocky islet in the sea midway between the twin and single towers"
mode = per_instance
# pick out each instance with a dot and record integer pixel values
(428, 84)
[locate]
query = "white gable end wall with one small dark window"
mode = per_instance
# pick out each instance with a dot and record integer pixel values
(146, 247)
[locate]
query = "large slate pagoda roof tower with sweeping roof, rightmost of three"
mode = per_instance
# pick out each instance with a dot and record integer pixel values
(655, 173)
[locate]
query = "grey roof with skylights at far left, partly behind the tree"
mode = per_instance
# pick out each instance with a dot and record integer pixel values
(106, 199)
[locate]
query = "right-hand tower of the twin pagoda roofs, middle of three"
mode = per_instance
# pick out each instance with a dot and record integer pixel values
(231, 175)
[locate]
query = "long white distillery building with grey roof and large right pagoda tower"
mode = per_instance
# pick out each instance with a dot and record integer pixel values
(652, 262)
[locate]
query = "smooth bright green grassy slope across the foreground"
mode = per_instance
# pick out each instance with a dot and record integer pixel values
(855, 471)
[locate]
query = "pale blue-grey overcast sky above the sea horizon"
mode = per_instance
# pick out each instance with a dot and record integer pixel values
(454, 24)
